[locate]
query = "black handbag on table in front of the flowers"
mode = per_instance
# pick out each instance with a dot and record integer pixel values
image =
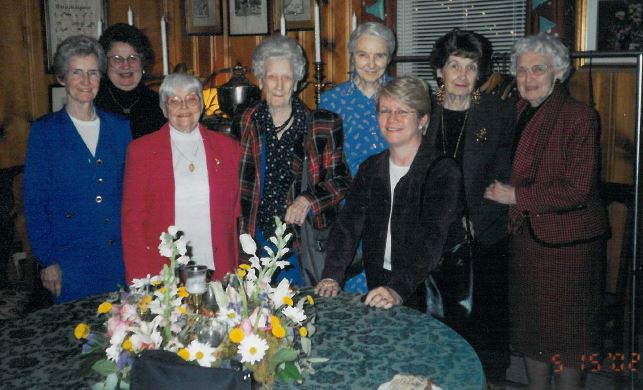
(163, 370)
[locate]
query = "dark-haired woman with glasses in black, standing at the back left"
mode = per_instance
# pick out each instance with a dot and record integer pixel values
(129, 55)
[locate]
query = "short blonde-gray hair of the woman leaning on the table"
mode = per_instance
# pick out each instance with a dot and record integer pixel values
(411, 91)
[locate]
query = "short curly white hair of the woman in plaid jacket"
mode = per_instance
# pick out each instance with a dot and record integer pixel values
(279, 46)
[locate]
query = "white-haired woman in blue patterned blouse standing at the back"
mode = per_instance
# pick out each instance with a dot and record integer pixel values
(371, 48)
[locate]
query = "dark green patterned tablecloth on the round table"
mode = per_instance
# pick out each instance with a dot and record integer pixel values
(366, 347)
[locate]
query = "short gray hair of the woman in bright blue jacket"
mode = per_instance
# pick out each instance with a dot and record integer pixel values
(77, 46)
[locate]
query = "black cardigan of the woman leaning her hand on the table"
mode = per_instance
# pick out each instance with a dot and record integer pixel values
(426, 201)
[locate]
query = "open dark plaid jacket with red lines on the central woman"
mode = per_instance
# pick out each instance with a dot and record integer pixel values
(328, 172)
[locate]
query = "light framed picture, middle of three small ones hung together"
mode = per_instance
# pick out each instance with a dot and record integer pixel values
(248, 17)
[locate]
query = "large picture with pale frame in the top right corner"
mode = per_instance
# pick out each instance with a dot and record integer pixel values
(610, 25)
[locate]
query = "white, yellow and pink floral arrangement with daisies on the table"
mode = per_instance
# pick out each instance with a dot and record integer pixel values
(264, 330)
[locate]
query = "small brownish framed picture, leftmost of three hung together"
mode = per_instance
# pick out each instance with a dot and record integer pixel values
(203, 17)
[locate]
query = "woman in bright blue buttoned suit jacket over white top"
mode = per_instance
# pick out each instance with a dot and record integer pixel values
(73, 180)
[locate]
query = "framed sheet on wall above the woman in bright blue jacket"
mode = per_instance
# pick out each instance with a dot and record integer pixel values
(64, 18)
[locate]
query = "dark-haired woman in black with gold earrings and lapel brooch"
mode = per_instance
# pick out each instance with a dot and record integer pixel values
(476, 130)
